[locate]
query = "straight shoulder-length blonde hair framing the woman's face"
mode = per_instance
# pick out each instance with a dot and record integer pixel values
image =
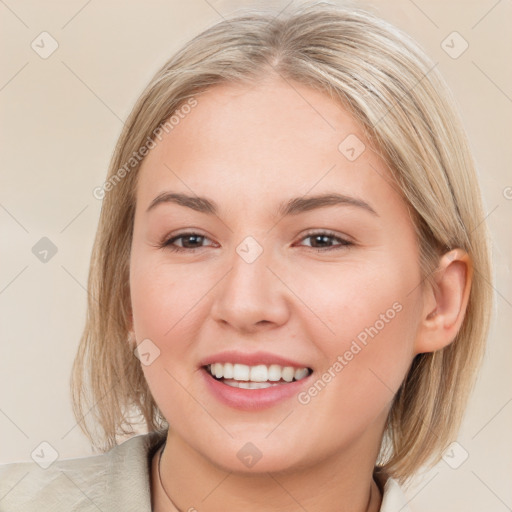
(387, 83)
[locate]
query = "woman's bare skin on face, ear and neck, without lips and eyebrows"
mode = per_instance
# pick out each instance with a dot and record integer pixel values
(249, 148)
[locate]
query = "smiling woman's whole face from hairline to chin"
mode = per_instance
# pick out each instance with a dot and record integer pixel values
(265, 274)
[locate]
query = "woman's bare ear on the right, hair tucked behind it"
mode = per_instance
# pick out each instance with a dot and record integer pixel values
(444, 308)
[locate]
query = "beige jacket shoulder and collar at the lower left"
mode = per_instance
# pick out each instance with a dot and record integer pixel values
(115, 480)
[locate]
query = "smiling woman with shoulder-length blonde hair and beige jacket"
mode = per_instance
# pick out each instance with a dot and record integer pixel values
(288, 280)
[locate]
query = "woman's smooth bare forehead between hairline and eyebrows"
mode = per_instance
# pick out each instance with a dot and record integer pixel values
(264, 140)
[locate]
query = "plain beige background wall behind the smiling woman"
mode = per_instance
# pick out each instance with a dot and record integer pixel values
(61, 117)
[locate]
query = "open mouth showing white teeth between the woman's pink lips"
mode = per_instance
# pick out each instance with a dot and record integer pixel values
(256, 377)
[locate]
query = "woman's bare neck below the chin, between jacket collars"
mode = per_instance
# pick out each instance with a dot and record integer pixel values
(341, 483)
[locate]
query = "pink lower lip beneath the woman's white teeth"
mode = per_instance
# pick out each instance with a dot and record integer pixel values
(252, 399)
